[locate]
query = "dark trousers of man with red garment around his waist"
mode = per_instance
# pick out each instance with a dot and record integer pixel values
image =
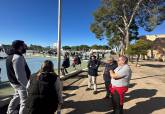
(118, 109)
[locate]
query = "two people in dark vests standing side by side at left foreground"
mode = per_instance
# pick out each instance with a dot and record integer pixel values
(40, 93)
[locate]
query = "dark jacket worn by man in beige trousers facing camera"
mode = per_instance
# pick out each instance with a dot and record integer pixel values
(93, 67)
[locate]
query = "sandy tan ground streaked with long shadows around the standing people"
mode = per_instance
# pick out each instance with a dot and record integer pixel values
(146, 94)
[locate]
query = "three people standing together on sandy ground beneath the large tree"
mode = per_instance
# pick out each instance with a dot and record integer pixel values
(116, 75)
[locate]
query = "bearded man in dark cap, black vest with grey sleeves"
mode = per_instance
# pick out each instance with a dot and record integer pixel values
(18, 74)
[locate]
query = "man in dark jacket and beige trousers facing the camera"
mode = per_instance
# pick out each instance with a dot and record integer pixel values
(93, 65)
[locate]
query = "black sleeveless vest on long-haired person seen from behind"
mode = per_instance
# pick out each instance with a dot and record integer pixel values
(42, 95)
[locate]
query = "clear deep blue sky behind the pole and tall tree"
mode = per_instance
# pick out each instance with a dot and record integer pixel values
(35, 22)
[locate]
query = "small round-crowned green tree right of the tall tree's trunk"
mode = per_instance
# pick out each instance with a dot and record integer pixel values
(141, 47)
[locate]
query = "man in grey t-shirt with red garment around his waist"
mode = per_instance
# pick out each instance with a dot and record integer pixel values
(120, 82)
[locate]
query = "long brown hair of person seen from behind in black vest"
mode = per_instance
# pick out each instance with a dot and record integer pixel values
(47, 67)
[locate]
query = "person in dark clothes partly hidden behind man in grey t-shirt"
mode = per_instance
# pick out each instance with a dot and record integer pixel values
(110, 64)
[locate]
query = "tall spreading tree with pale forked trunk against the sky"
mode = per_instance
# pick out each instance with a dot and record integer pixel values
(115, 17)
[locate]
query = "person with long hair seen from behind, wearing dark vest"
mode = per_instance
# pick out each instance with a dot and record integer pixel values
(44, 91)
